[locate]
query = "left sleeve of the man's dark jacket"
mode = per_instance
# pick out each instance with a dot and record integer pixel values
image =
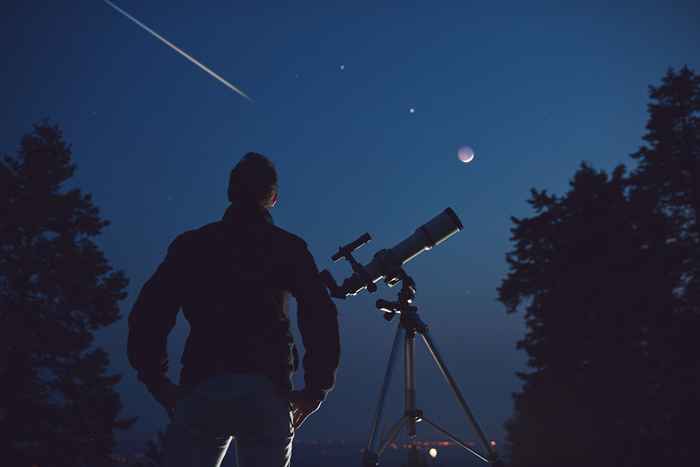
(153, 317)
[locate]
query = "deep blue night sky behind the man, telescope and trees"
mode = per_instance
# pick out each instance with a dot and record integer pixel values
(534, 87)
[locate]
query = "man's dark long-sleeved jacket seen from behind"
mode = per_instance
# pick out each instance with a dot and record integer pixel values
(232, 279)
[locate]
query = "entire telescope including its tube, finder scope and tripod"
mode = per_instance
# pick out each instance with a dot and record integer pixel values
(388, 264)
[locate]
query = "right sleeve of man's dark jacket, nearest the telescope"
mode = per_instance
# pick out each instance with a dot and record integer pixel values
(318, 324)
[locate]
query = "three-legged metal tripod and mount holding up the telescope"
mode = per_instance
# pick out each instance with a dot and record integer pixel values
(409, 326)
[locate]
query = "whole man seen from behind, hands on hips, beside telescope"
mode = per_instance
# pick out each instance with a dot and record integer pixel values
(231, 278)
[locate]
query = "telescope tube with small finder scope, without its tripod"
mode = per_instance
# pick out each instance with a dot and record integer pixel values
(387, 263)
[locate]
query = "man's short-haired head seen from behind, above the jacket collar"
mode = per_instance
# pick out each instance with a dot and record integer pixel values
(253, 181)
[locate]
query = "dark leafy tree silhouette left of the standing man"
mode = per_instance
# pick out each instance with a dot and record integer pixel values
(58, 405)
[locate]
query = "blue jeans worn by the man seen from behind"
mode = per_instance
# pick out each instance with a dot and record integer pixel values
(242, 407)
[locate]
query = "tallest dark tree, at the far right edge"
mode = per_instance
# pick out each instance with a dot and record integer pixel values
(668, 174)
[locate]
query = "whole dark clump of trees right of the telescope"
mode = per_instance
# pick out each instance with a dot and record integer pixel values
(605, 275)
